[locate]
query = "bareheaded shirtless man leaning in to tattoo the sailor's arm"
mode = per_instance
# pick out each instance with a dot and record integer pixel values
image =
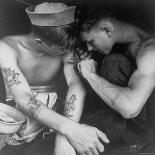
(102, 32)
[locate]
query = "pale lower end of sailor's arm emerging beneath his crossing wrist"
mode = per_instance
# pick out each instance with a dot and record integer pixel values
(62, 146)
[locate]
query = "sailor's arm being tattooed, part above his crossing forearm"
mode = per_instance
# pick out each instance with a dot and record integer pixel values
(73, 106)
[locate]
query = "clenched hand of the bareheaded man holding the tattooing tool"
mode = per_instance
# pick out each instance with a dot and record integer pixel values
(87, 67)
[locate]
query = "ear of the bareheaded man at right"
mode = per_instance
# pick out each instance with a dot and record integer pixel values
(108, 29)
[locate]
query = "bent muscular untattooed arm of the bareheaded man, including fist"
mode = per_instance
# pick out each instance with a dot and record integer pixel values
(128, 101)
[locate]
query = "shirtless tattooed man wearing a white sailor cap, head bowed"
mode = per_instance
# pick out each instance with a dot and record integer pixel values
(33, 62)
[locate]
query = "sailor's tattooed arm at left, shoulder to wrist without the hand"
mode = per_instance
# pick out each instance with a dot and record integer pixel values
(22, 94)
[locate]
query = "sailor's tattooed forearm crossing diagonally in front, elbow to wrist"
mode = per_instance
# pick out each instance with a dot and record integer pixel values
(37, 110)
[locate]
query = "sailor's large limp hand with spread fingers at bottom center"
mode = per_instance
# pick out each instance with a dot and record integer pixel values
(86, 139)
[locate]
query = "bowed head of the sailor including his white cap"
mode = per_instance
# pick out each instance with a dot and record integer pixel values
(53, 25)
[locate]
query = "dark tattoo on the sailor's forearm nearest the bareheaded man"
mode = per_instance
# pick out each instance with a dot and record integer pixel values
(70, 106)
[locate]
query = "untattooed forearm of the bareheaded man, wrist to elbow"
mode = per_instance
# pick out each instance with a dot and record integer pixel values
(114, 96)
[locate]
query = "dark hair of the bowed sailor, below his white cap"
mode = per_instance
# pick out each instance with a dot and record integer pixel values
(64, 36)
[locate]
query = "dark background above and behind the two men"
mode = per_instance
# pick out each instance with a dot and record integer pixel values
(13, 19)
